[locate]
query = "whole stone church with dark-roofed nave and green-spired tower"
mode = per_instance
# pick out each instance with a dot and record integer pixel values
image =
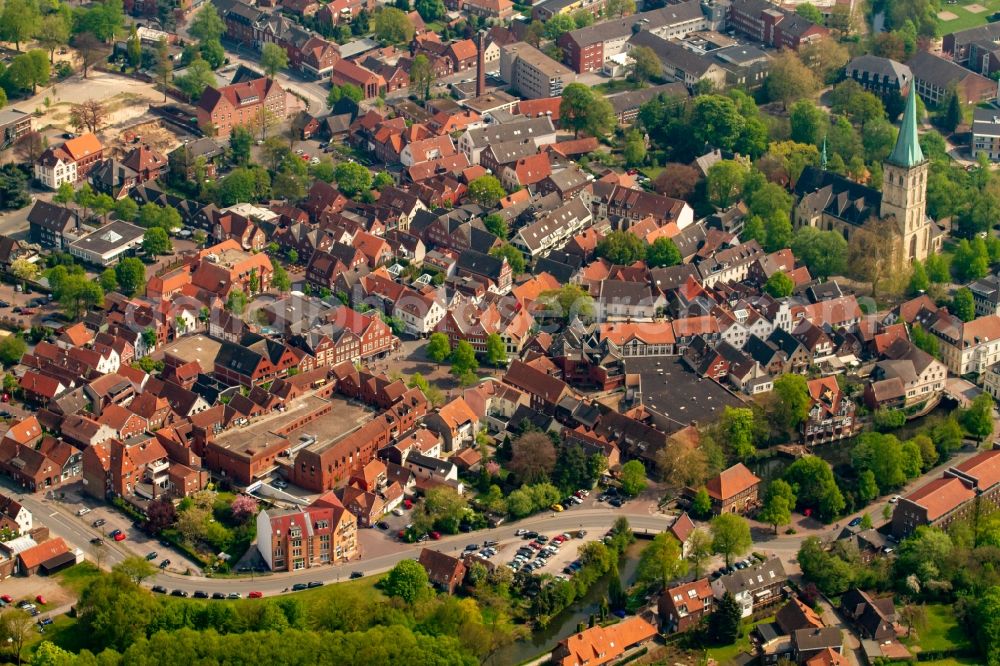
(832, 202)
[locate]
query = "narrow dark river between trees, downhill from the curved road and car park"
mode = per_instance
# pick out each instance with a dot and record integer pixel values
(543, 640)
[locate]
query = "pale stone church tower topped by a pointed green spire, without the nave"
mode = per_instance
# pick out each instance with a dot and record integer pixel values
(904, 188)
